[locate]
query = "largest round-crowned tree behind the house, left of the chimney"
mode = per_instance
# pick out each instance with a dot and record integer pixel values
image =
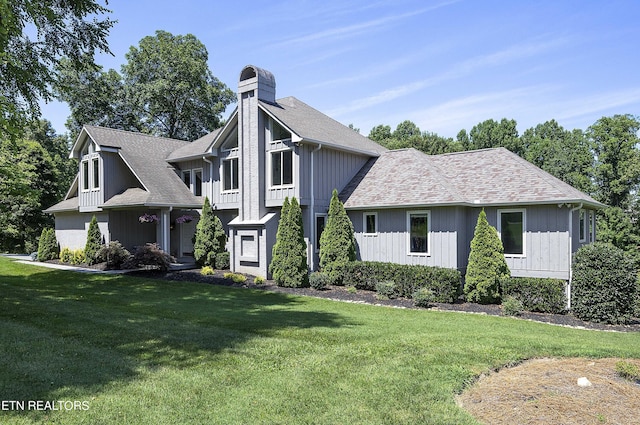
(168, 82)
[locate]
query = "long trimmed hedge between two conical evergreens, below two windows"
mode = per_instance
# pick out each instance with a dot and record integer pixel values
(444, 283)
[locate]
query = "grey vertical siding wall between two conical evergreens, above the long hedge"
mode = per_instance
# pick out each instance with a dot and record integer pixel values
(391, 242)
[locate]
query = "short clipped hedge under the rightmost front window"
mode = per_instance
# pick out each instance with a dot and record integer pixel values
(536, 294)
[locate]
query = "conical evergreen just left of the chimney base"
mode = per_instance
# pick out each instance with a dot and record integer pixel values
(210, 238)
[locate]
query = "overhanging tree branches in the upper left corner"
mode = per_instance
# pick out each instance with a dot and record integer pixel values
(68, 29)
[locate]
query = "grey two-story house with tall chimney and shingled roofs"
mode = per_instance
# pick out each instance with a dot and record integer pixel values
(406, 207)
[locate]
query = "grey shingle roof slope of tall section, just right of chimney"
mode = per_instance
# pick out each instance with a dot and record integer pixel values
(312, 125)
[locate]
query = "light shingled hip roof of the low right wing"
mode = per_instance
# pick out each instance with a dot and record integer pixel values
(409, 178)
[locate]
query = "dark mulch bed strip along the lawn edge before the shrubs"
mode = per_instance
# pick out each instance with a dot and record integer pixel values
(341, 293)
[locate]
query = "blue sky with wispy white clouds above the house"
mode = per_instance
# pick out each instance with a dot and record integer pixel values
(445, 65)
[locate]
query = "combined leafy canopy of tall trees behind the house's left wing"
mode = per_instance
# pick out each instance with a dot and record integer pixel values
(165, 89)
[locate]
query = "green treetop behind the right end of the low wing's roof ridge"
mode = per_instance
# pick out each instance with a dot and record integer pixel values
(493, 134)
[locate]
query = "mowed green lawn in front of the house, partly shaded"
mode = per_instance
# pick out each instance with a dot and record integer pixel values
(151, 351)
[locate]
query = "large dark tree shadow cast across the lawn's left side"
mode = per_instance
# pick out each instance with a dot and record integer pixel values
(66, 333)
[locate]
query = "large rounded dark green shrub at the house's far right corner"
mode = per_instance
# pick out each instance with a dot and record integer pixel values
(604, 284)
